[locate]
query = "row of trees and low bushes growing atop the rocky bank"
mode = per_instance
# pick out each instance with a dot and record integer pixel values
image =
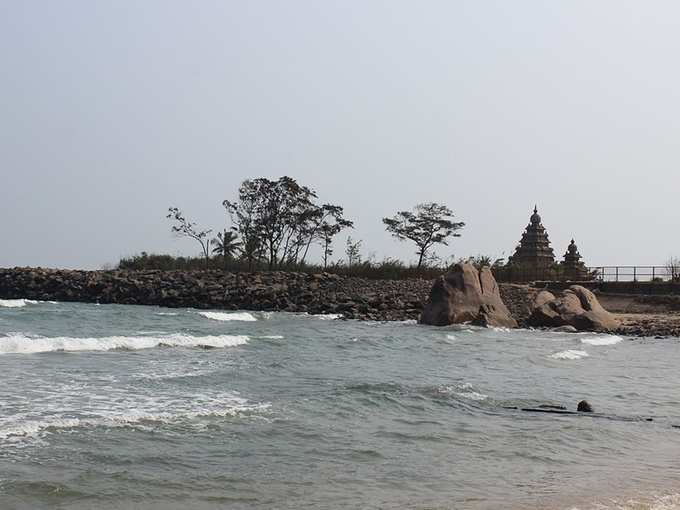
(275, 223)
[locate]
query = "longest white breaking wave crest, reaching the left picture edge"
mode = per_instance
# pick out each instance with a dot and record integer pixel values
(22, 344)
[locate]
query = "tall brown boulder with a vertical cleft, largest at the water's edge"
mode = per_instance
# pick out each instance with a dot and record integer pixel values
(466, 295)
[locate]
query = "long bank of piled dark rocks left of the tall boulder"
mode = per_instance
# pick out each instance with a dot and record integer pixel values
(325, 293)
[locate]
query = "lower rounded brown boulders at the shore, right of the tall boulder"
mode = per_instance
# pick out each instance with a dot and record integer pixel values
(577, 307)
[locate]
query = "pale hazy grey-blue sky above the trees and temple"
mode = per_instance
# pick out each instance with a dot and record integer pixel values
(111, 111)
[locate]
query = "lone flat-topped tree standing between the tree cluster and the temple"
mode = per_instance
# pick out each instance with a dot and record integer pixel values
(428, 224)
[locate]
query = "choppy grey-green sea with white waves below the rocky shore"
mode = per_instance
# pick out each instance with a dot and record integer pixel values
(138, 407)
